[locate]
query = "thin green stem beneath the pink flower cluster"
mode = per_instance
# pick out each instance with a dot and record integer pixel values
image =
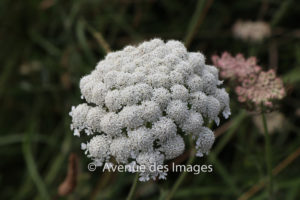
(268, 153)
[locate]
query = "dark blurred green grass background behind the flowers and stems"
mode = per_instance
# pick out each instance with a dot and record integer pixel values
(47, 45)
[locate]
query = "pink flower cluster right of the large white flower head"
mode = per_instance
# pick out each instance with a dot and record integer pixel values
(253, 84)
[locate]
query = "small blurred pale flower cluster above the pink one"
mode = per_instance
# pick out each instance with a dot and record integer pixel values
(252, 31)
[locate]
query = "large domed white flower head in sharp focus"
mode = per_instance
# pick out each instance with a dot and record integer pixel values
(142, 100)
